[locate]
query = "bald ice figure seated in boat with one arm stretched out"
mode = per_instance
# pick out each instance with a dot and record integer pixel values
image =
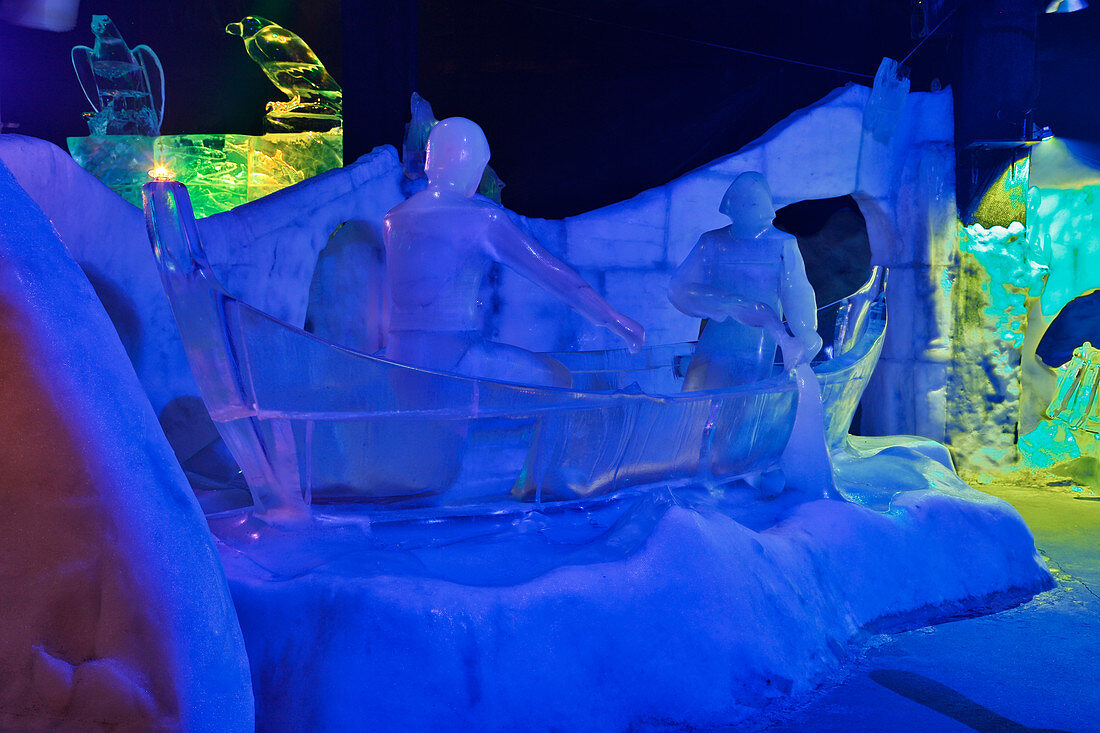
(439, 246)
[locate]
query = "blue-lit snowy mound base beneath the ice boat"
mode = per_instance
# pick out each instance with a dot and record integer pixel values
(672, 609)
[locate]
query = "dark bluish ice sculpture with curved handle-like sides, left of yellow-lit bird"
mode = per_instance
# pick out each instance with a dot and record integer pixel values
(117, 82)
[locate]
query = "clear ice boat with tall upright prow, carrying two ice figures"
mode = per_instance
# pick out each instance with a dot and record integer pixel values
(307, 420)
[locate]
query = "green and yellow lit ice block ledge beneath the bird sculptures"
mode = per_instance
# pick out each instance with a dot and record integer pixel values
(221, 171)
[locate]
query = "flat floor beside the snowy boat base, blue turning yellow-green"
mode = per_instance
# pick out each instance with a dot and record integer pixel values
(1032, 669)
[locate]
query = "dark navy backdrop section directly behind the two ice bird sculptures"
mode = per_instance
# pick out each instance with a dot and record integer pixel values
(213, 86)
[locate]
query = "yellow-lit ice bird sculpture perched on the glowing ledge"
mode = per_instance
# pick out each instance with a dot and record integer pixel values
(314, 97)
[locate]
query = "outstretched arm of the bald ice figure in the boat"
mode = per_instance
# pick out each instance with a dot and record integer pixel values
(513, 248)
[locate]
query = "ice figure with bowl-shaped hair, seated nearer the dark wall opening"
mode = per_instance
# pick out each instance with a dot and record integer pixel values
(745, 279)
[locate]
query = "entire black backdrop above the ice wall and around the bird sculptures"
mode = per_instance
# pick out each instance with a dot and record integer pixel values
(585, 102)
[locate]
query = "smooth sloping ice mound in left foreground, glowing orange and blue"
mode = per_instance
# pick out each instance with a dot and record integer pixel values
(115, 605)
